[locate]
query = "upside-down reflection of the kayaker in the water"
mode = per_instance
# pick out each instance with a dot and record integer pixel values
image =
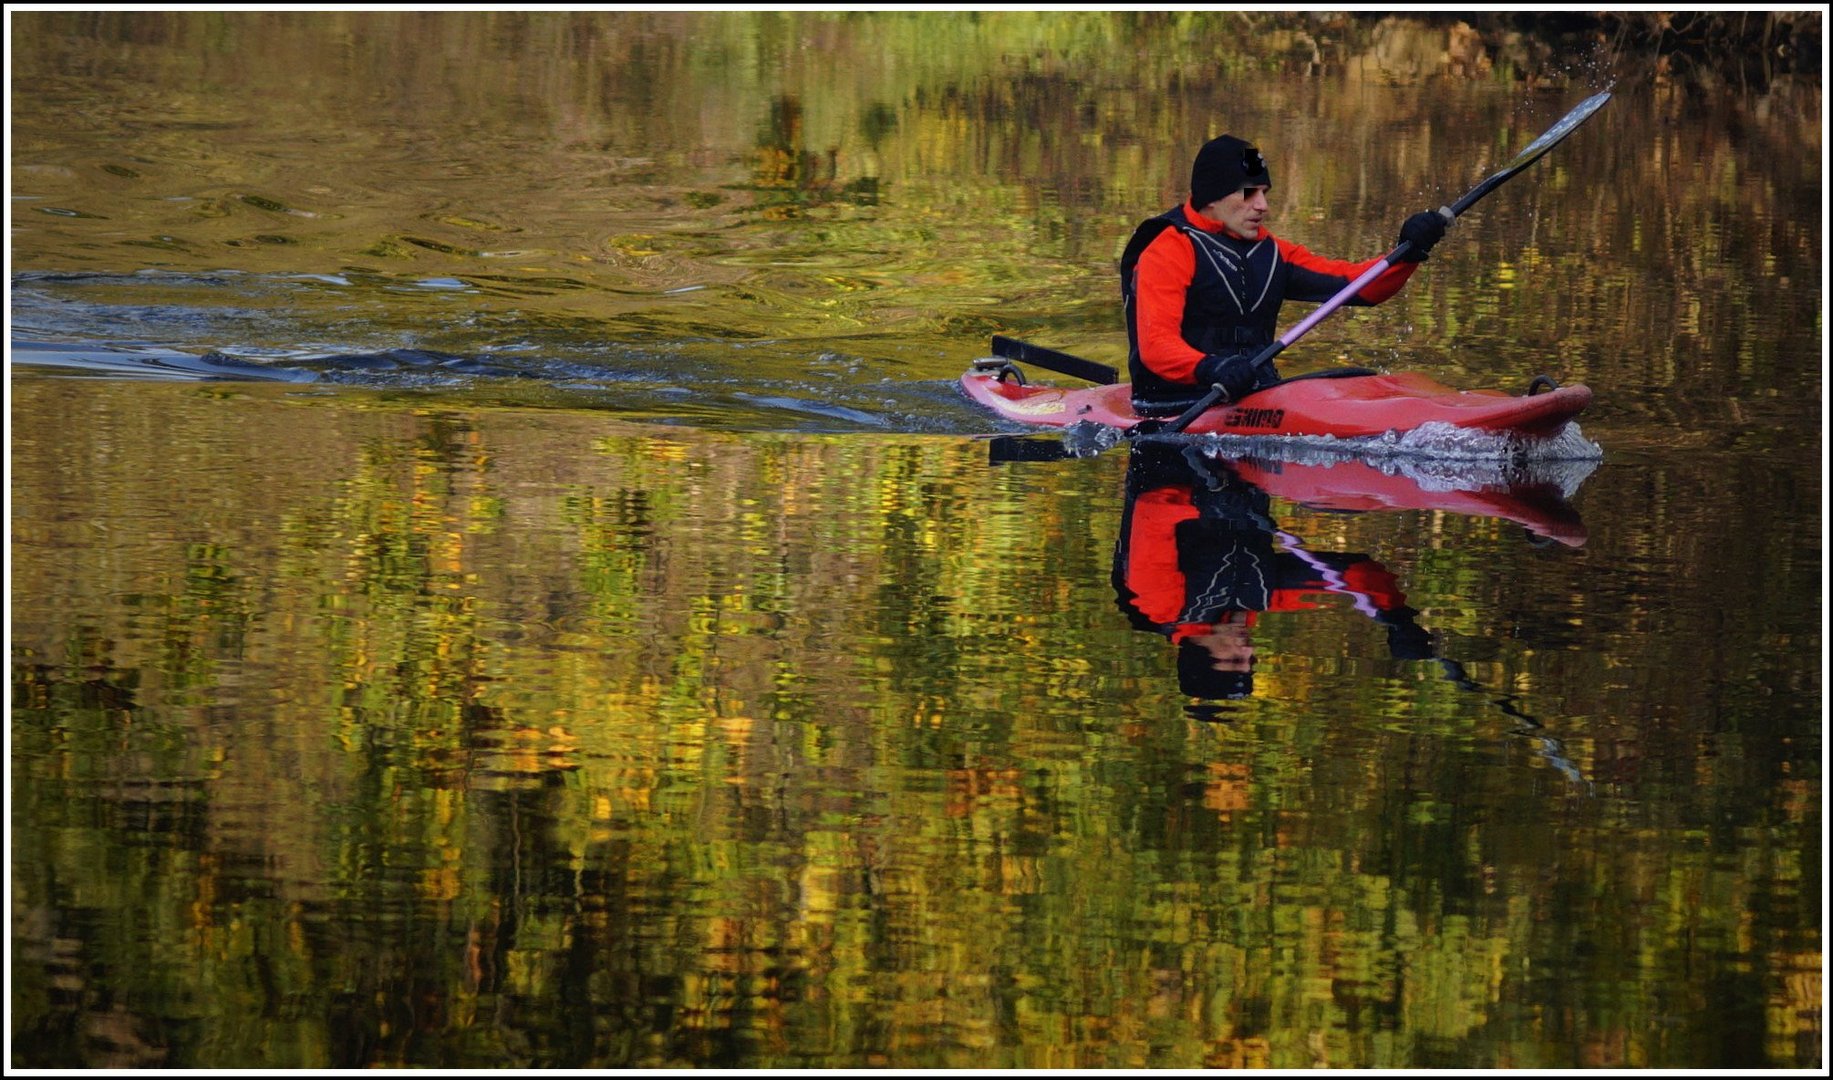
(1196, 562)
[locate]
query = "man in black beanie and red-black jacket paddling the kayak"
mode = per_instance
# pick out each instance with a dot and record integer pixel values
(1202, 285)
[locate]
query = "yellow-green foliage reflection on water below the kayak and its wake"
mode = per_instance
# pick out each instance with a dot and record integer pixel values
(527, 740)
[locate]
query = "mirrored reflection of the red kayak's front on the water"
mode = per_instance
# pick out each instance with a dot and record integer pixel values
(1352, 485)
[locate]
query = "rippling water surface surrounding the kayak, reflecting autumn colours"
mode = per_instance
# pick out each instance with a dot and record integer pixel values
(501, 573)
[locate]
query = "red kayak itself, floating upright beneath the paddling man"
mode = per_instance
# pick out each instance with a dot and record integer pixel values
(1346, 408)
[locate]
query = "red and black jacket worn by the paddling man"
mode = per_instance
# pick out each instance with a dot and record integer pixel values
(1192, 289)
